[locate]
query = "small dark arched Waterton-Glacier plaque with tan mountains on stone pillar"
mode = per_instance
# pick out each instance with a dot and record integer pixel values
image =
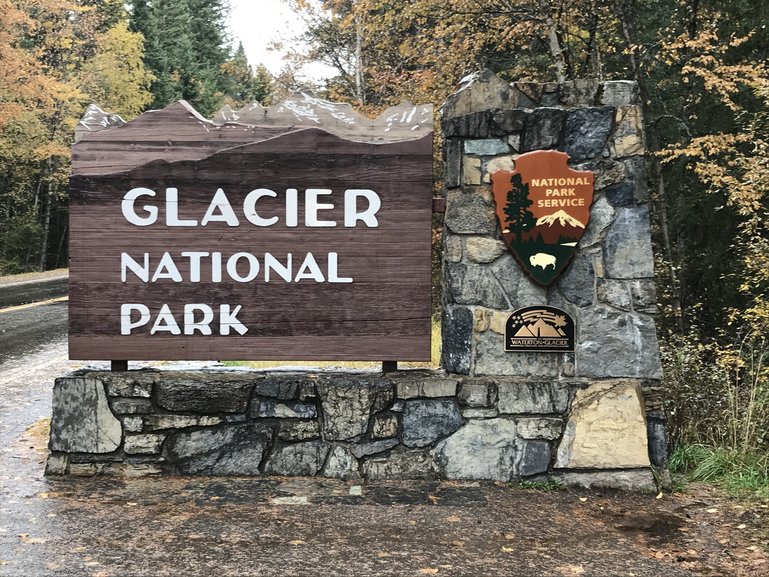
(539, 329)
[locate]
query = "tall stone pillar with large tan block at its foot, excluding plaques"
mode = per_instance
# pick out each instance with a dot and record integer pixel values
(608, 288)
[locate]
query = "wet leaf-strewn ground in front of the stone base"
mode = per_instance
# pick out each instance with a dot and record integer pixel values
(108, 527)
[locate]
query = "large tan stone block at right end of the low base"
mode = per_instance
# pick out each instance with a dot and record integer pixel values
(606, 429)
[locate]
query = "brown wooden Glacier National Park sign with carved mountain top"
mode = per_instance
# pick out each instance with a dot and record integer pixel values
(195, 240)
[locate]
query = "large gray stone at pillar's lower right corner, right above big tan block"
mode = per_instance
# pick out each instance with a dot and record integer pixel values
(613, 343)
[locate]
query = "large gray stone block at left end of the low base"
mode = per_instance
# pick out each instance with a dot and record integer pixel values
(81, 421)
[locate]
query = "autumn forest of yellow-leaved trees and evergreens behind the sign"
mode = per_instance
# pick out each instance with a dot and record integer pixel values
(701, 67)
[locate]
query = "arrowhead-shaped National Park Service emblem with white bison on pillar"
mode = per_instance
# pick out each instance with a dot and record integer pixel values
(543, 207)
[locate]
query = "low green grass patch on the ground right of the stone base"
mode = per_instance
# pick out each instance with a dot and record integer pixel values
(743, 474)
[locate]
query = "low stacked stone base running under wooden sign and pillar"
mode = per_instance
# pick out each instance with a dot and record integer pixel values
(355, 426)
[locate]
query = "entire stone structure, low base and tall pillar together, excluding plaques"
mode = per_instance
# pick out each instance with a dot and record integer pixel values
(586, 418)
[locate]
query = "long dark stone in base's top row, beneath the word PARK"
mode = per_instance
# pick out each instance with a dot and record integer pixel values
(192, 393)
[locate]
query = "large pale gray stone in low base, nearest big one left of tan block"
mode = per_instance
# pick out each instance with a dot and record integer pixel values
(482, 449)
